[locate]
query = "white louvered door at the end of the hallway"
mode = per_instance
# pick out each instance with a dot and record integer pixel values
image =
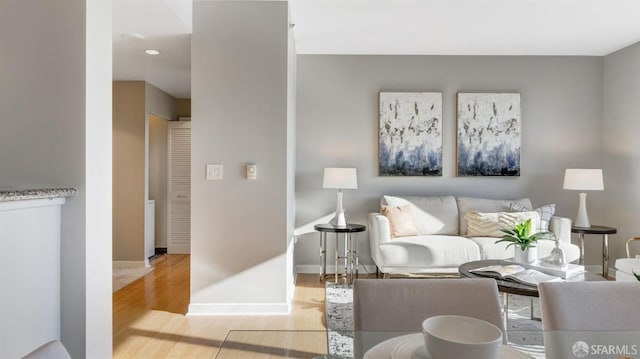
(179, 216)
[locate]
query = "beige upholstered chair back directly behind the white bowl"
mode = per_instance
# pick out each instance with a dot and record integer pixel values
(383, 309)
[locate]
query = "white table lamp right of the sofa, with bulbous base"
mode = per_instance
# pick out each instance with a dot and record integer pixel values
(583, 180)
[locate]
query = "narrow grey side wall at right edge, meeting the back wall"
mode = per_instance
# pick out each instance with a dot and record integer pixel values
(621, 126)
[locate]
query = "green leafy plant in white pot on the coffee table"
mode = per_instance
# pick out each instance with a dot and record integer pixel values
(523, 241)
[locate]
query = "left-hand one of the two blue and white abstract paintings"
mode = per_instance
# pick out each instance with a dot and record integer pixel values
(410, 134)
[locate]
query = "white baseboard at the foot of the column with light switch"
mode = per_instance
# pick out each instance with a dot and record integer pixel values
(224, 309)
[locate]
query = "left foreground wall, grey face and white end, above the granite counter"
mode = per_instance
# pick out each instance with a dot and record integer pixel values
(55, 115)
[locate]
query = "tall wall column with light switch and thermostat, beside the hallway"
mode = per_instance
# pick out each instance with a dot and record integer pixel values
(239, 228)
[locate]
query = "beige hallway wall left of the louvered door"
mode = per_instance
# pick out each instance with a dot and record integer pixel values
(134, 102)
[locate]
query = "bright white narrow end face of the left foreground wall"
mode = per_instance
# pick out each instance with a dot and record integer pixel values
(98, 119)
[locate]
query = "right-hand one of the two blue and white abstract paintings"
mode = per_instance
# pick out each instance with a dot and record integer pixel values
(489, 134)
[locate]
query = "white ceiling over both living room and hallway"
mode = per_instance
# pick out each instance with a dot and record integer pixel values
(409, 27)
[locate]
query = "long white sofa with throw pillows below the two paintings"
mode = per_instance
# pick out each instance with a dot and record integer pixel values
(441, 245)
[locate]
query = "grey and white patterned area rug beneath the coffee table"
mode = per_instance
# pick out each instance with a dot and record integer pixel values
(523, 333)
